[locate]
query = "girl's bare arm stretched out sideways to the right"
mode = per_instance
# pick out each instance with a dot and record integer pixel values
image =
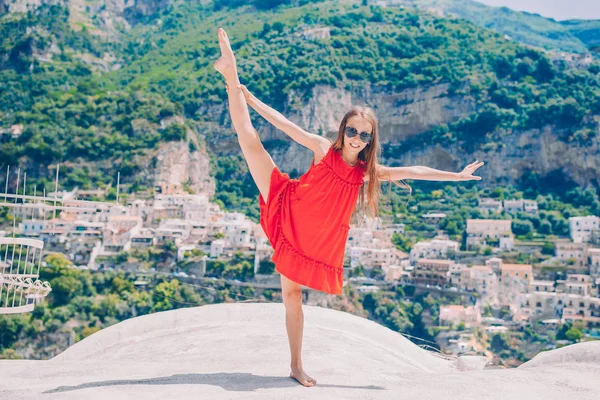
(430, 174)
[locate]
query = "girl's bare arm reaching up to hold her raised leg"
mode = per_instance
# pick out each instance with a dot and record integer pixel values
(316, 143)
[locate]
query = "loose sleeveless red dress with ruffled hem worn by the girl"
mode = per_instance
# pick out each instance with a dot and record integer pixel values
(306, 220)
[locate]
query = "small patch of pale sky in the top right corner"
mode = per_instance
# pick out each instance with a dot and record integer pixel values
(557, 9)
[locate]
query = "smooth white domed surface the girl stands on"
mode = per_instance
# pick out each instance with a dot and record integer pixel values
(240, 351)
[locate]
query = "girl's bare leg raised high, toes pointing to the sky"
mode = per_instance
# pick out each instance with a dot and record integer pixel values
(259, 161)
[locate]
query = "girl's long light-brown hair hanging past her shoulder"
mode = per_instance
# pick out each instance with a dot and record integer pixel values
(369, 155)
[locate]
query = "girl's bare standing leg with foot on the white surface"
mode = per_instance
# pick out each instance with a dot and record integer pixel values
(294, 323)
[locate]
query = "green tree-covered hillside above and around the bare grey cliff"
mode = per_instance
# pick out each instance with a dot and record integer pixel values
(74, 112)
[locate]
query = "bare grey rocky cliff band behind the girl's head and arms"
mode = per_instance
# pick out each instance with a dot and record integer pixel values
(408, 114)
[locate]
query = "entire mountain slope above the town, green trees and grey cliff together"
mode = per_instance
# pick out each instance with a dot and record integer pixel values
(435, 82)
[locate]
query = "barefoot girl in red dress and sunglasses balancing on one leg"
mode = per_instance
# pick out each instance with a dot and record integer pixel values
(306, 219)
